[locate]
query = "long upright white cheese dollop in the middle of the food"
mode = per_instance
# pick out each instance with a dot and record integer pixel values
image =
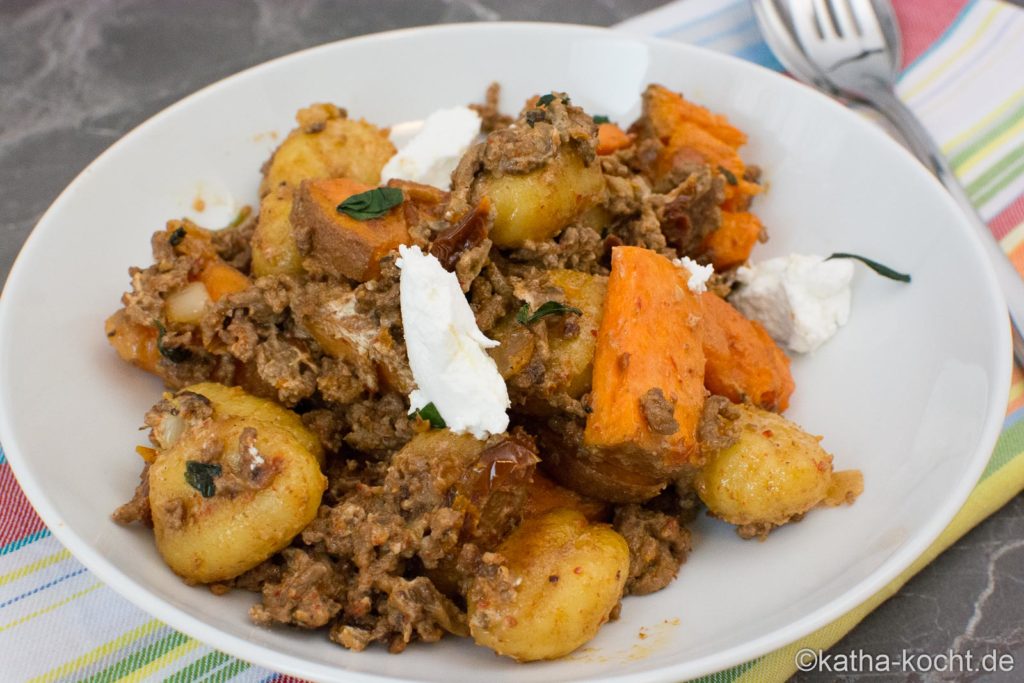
(447, 351)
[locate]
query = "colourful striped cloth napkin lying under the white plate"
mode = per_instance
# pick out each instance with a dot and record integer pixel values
(964, 78)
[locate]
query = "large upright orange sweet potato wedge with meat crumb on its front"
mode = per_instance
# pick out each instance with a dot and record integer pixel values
(649, 367)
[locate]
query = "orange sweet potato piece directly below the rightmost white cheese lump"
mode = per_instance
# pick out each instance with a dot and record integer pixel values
(744, 364)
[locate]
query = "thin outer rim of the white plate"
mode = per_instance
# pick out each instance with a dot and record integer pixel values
(126, 586)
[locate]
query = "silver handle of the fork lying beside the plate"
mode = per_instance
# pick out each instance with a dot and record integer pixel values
(924, 148)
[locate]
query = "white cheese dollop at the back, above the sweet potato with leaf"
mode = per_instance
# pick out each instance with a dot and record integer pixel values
(435, 151)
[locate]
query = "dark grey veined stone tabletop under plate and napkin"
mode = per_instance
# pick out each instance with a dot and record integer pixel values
(76, 76)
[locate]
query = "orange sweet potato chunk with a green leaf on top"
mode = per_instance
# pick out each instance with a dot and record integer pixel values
(339, 244)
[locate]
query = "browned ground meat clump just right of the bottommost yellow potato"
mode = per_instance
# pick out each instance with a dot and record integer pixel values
(659, 545)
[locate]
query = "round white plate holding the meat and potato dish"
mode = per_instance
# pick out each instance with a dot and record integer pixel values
(912, 392)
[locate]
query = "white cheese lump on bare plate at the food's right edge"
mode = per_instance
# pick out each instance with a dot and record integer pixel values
(802, 301)
